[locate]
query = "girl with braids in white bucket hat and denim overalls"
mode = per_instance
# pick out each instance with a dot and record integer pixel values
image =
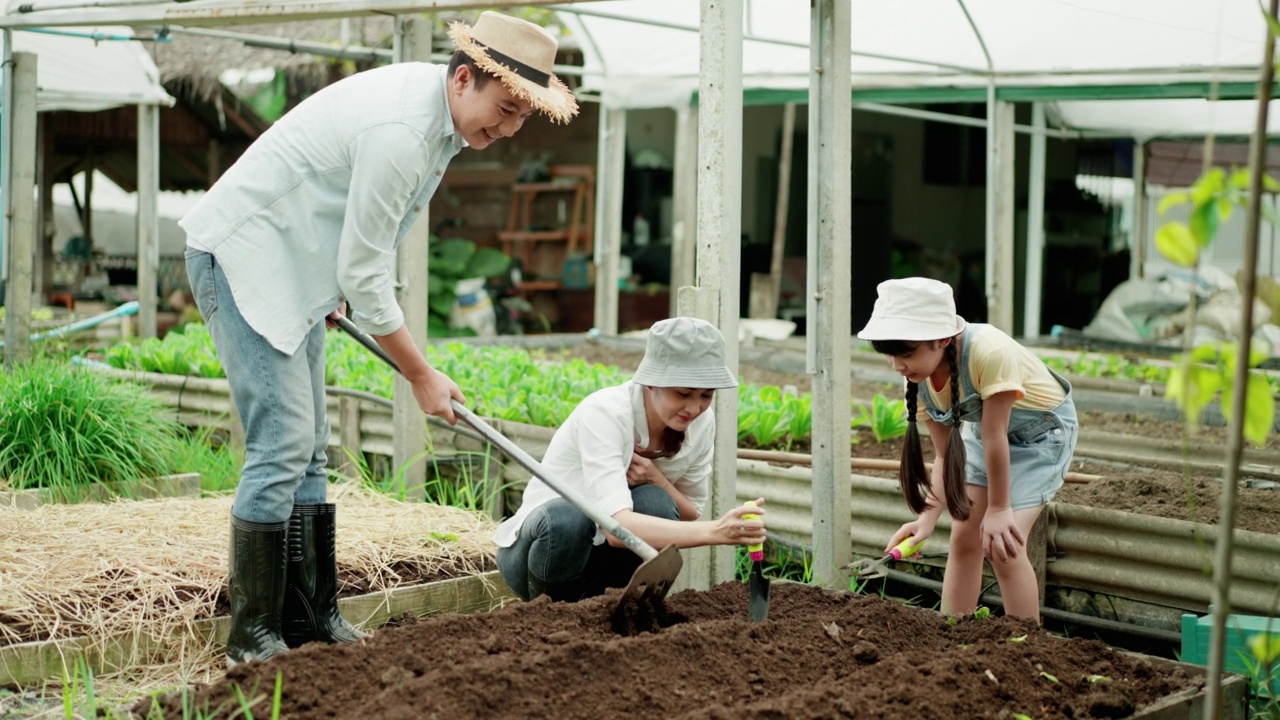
(1004, 430)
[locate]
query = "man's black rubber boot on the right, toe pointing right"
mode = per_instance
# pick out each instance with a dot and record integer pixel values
(312, 593)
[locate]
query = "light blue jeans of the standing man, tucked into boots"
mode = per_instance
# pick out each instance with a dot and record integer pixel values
(280, 398)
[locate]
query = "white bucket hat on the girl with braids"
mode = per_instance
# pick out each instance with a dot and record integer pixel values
(913, 309)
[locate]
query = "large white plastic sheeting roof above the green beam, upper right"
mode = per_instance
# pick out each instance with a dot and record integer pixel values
(927, 44)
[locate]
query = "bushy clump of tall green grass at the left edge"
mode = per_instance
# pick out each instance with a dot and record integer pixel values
(62, 430)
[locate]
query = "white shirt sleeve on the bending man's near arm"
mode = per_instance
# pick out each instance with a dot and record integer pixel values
(388, 162)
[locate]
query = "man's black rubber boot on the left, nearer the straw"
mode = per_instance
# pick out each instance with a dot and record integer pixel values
(257, 589)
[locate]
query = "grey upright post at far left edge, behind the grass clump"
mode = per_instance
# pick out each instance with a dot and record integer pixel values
(22, 199)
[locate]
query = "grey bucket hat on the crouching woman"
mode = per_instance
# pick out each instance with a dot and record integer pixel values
(685, 353)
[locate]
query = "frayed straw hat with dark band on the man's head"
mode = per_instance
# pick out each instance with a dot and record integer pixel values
(522, 56)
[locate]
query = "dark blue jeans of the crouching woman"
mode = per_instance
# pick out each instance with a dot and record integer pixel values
(555, 557)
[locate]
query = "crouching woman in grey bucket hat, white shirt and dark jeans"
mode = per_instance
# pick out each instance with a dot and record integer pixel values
(642, 453)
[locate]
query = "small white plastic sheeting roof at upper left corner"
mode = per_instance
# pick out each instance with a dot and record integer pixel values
(84, 75)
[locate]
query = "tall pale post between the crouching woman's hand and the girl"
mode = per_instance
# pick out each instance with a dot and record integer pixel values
(829, 272)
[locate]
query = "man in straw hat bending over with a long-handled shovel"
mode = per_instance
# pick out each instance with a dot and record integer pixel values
(309, 220)
